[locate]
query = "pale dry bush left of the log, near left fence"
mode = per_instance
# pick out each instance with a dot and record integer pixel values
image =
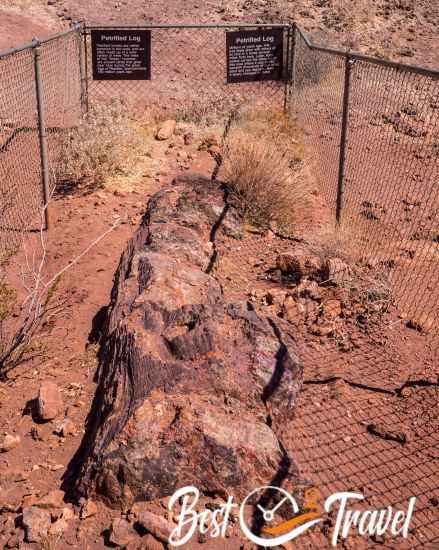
(105, 143)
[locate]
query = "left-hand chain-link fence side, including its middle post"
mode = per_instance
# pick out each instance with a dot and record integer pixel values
(39, 99)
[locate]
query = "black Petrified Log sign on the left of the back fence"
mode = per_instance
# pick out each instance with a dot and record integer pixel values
(121, 54)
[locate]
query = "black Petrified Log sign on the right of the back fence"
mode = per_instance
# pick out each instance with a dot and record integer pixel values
(255, 55)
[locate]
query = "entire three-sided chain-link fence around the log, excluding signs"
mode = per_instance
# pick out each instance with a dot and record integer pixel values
(372, 127)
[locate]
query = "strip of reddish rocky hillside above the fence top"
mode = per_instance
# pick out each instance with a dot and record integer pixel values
(399, 29)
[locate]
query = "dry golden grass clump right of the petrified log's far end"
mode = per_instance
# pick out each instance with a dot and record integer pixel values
(263, 169)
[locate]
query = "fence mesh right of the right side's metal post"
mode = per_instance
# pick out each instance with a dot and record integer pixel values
(392, 167)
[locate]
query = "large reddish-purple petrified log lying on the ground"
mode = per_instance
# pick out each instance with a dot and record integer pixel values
(192, 390)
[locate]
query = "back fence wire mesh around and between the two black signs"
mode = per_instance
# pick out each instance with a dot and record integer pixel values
(188, 76)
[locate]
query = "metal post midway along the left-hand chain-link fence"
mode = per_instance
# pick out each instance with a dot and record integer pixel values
(42, 133)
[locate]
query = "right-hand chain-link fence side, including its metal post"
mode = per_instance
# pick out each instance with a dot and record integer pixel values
(372, 127)
